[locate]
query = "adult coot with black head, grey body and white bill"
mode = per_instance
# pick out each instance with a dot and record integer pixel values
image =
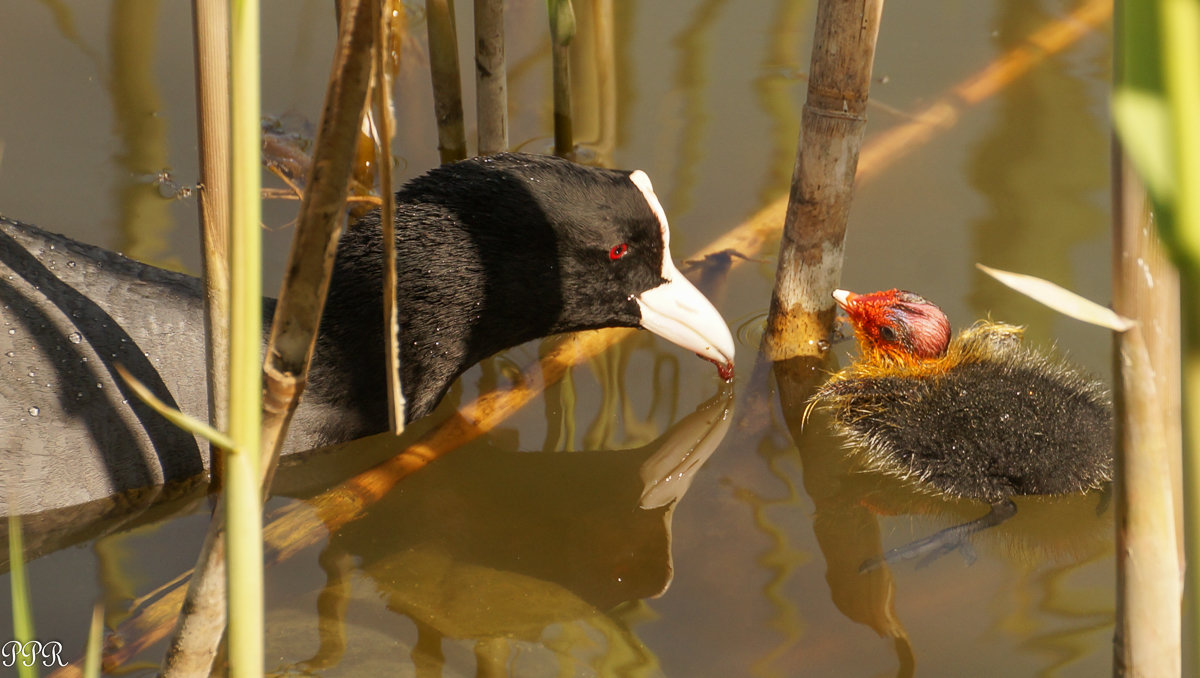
(493, 253)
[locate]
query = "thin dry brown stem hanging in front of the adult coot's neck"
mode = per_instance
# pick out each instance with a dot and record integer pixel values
(383, 73)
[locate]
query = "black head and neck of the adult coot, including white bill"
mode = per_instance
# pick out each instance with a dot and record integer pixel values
(497, 251)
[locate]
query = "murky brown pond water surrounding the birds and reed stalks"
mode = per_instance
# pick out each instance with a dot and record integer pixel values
(551, 563)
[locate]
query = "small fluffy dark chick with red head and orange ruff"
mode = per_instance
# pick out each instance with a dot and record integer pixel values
(980, 417)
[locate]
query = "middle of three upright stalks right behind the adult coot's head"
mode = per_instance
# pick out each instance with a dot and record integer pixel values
(491, 79)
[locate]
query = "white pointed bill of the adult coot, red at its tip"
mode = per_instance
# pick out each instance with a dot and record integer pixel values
(680, 314)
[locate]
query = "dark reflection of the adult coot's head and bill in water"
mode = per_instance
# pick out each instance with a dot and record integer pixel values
(493, 544)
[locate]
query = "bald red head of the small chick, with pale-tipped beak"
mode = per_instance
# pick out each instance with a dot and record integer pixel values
(896, 323)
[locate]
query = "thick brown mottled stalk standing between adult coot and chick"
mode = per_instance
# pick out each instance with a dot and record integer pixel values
(832, 128)
